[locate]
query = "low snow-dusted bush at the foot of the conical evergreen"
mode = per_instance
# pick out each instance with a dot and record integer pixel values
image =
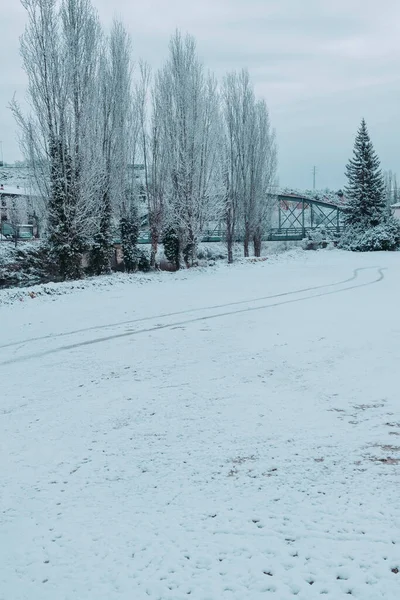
(385, 236)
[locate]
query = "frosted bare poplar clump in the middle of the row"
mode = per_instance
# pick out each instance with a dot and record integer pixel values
(189, 106)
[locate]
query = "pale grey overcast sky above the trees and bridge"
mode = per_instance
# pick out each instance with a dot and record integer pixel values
(321, 65)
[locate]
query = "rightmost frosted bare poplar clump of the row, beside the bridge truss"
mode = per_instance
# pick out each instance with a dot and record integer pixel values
(250, 162)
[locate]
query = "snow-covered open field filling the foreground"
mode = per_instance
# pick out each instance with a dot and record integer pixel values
(231, 433)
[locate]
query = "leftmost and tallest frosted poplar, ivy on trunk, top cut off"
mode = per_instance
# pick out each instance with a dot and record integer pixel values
(59, 51)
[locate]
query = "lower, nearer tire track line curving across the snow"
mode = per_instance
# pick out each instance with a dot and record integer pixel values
(159, 327)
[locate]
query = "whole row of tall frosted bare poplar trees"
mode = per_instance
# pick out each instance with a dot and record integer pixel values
(208, 149)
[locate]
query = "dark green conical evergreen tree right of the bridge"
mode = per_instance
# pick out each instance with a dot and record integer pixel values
(365, 191)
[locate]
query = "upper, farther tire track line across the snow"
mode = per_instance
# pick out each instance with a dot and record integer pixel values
(183, 312)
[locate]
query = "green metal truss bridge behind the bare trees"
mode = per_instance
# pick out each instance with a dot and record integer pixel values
(294, 218)
